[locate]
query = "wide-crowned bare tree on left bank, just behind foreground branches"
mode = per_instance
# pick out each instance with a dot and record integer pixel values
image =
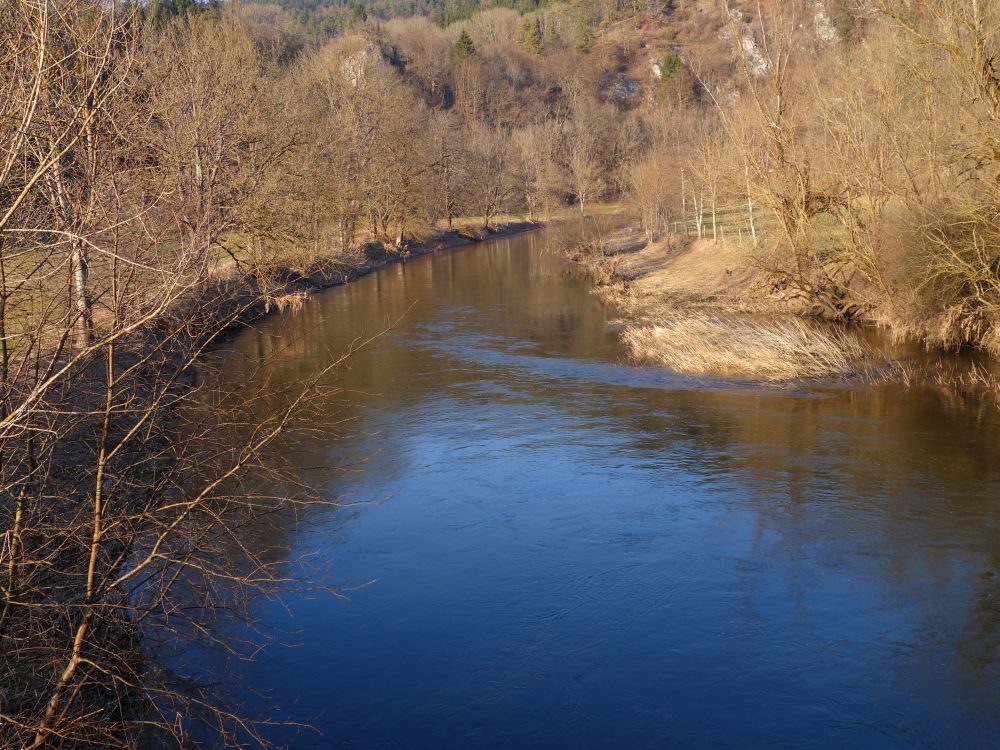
(219, 139)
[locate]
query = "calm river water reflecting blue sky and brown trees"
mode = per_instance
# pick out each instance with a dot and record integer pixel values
(563, 550)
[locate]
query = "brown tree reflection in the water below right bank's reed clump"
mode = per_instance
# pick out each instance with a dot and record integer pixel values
(896, 486)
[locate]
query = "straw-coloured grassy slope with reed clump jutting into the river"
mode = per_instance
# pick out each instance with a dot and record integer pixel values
(700, 307)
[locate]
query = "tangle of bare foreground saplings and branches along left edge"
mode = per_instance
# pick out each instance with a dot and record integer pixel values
(118, 491)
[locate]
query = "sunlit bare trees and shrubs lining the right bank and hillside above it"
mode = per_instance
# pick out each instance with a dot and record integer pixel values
(838, 162)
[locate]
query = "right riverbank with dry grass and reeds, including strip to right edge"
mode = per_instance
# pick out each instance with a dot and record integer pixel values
(702, 307)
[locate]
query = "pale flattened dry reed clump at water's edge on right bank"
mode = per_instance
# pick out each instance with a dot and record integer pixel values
(735, 346)
